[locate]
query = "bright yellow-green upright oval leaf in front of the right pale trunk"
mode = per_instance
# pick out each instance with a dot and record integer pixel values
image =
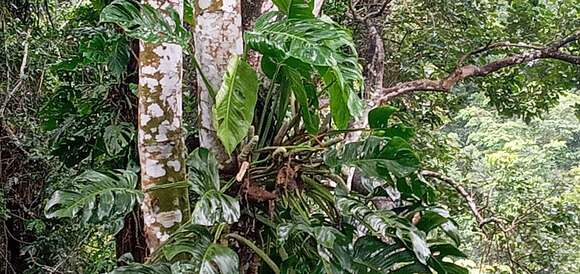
(234, 103)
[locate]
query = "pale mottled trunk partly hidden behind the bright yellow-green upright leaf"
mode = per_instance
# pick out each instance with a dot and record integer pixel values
(218, 35)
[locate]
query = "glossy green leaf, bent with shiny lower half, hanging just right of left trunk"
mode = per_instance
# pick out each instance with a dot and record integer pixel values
(213, 206)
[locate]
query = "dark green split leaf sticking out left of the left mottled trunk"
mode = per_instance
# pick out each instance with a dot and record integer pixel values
(101, 198)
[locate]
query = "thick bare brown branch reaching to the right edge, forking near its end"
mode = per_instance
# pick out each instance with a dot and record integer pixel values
(552, 51)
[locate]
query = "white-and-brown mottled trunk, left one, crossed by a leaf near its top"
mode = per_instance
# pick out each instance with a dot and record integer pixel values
(161, 146)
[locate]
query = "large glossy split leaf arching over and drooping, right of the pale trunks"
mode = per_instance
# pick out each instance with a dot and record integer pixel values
(321, 48)
